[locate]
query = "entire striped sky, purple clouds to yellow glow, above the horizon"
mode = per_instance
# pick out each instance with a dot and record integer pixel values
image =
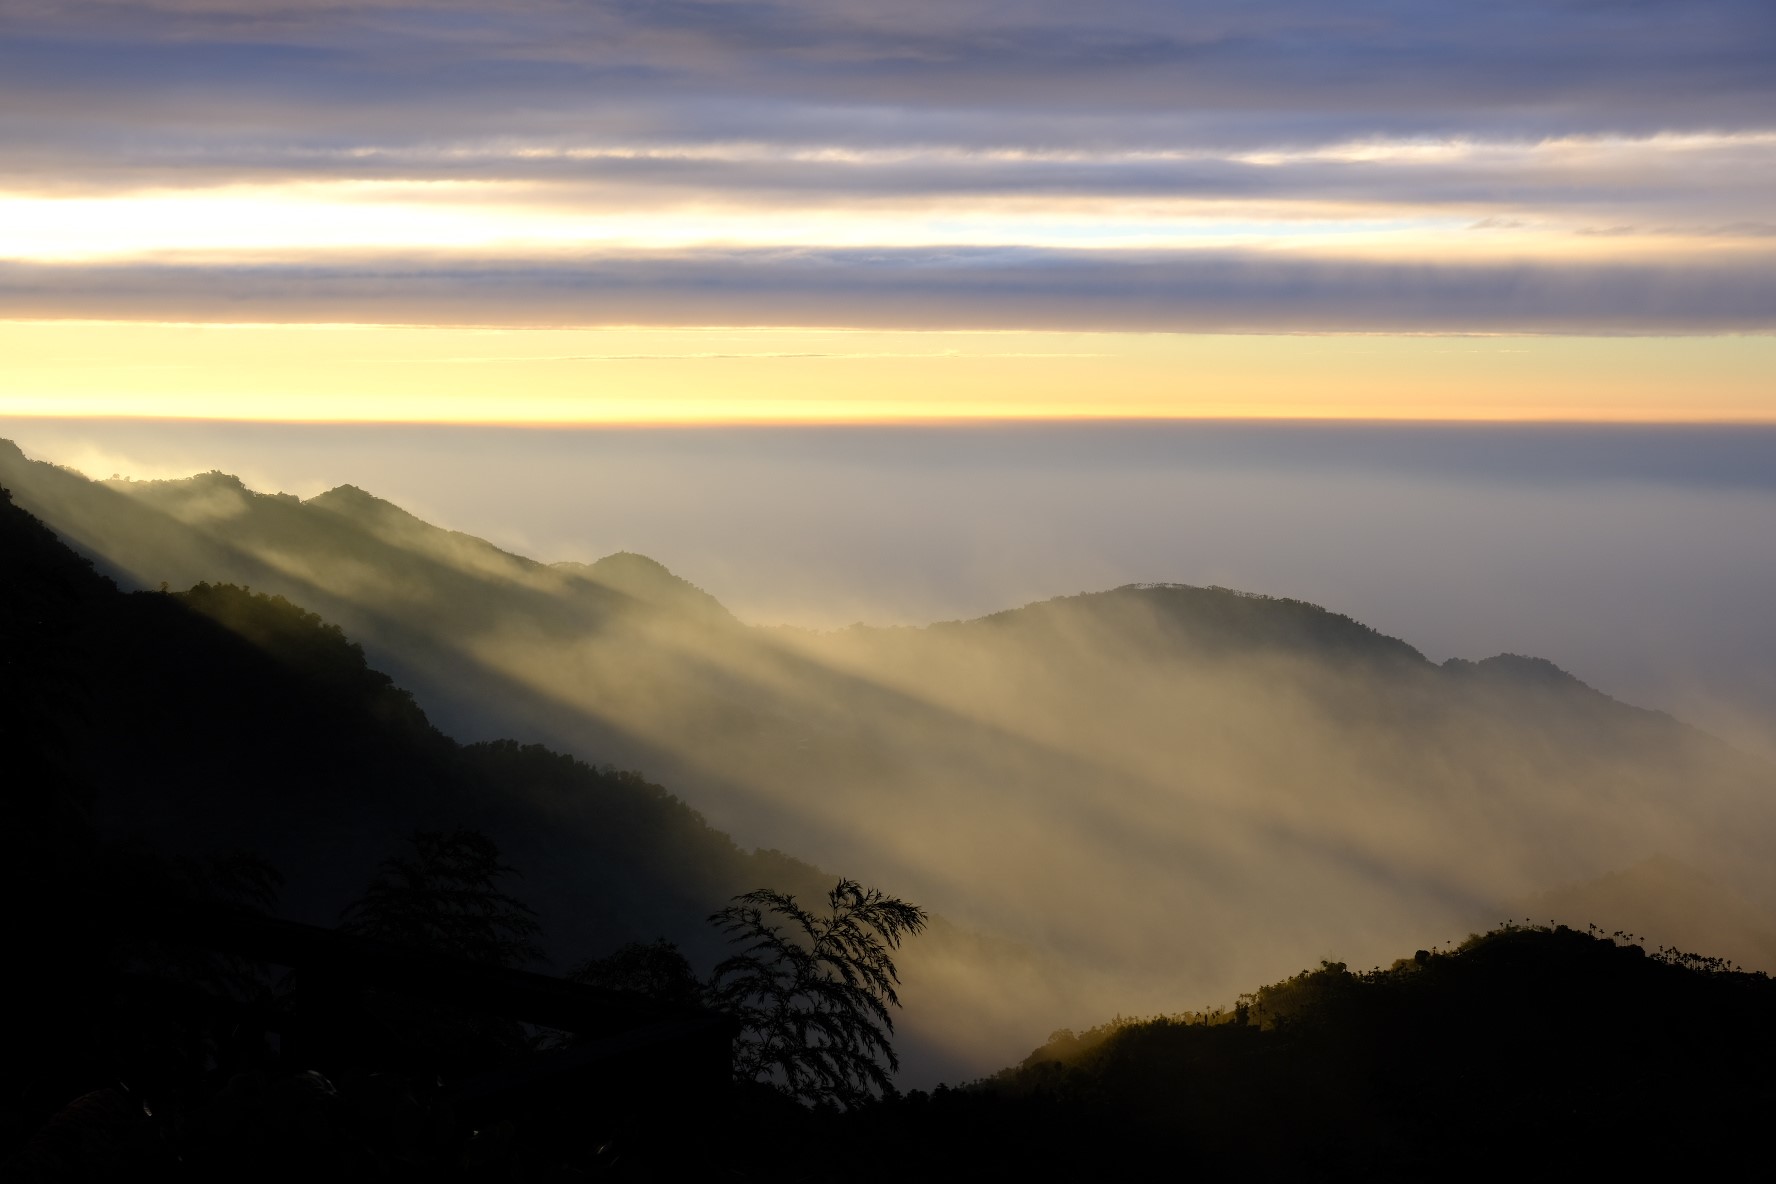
(781, 210)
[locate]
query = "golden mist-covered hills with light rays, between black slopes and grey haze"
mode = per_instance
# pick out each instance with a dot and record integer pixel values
(1161, 793)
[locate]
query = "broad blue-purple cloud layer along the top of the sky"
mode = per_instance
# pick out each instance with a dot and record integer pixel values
(1148, 72)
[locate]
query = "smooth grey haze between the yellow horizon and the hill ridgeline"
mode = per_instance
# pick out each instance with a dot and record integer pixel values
(1640, 558)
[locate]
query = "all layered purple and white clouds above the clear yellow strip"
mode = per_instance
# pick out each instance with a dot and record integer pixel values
(1558, 168)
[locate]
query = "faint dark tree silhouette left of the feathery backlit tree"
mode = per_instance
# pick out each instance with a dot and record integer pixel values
(445, 897)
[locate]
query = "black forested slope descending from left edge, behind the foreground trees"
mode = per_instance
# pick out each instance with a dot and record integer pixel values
(223, 720)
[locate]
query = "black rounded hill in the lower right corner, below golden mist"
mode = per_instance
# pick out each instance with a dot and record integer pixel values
(1523, 1052)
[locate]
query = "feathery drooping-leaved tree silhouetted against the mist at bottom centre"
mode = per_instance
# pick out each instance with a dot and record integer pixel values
(814, 993)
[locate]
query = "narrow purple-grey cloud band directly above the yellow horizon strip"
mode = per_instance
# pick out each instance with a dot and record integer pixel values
(926, 288)
